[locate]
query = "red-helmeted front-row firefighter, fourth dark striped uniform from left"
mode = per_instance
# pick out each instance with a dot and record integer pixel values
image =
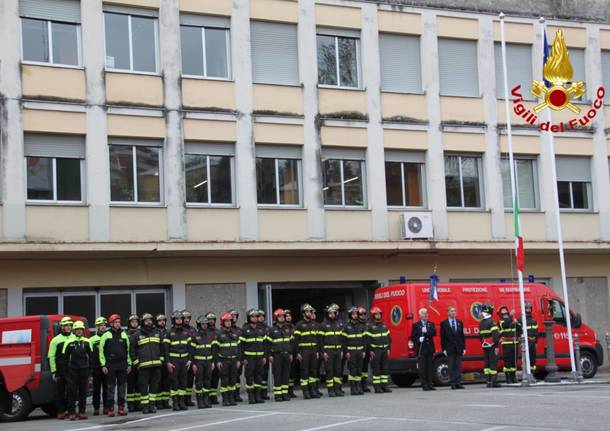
(227, 351)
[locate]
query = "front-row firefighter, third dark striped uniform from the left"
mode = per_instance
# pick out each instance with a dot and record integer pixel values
(201, 345)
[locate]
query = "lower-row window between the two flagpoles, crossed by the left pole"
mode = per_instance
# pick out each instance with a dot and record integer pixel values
(525, 183)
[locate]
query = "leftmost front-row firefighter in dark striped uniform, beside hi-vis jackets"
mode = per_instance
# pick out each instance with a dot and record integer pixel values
(147, 356)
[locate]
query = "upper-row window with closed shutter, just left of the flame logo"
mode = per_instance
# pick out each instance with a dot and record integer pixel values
(519, 65)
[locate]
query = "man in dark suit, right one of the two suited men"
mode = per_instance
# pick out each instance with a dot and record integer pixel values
(453, 343)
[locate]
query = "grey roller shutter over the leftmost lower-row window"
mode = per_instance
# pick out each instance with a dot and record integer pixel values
(63, 146)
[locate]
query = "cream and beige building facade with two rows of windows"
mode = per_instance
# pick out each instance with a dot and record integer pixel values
(162, 154)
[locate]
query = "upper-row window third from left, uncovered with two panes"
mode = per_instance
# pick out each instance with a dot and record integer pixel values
(205, 46)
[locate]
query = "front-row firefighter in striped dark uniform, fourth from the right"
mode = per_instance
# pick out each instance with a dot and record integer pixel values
(306, 343)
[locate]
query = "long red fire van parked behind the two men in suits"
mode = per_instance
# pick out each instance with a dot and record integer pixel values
(400, 305)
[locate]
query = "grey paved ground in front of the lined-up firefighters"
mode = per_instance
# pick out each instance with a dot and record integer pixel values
(548, 408)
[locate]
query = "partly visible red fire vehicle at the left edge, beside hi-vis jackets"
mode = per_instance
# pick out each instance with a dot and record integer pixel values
(25, 376)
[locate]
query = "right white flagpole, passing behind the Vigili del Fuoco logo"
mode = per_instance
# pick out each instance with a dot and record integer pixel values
(562, 264)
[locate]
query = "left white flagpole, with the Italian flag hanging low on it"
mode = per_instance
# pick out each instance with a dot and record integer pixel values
(515, 198)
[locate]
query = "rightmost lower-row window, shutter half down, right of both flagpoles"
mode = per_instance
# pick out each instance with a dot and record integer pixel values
(574, 182)
